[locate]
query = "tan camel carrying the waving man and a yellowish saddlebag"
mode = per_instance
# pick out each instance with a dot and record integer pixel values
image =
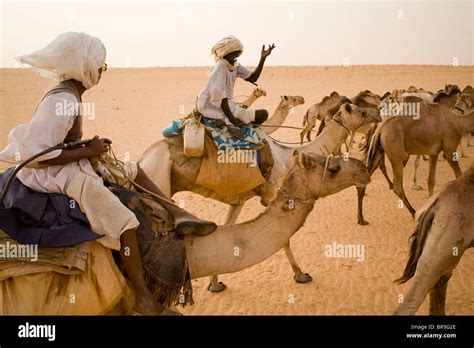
(167, 166)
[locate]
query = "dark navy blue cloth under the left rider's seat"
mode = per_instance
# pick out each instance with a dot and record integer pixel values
(46, 219)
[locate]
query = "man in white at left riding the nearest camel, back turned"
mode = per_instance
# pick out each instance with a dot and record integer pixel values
(76, 61)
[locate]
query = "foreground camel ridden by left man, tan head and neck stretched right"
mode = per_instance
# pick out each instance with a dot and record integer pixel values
(308, 178)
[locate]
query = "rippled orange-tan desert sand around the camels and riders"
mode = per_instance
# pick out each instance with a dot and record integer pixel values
(132, 107)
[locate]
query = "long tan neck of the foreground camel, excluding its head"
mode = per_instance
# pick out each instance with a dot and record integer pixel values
(235, 247)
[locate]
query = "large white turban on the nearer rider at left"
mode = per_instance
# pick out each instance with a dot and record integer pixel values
(71, 55)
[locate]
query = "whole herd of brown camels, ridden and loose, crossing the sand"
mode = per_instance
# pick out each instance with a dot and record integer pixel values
(442, 119)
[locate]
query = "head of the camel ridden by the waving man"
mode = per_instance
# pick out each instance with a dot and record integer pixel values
(354, 117)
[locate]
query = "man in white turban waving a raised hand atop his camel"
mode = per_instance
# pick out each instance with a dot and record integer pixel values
(215, 101)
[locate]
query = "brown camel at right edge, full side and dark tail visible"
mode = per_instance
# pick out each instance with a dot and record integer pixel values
(436, 130)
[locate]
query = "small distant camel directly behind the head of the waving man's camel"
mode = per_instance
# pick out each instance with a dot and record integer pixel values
(318, 112)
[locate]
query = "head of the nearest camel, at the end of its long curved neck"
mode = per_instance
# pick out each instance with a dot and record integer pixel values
(311, 176)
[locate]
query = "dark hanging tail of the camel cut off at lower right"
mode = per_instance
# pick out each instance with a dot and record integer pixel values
(417, 242)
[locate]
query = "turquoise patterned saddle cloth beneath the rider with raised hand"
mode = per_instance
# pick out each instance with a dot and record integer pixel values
(220, 135)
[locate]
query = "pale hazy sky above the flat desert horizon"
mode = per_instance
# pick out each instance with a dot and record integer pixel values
(181, 33)
